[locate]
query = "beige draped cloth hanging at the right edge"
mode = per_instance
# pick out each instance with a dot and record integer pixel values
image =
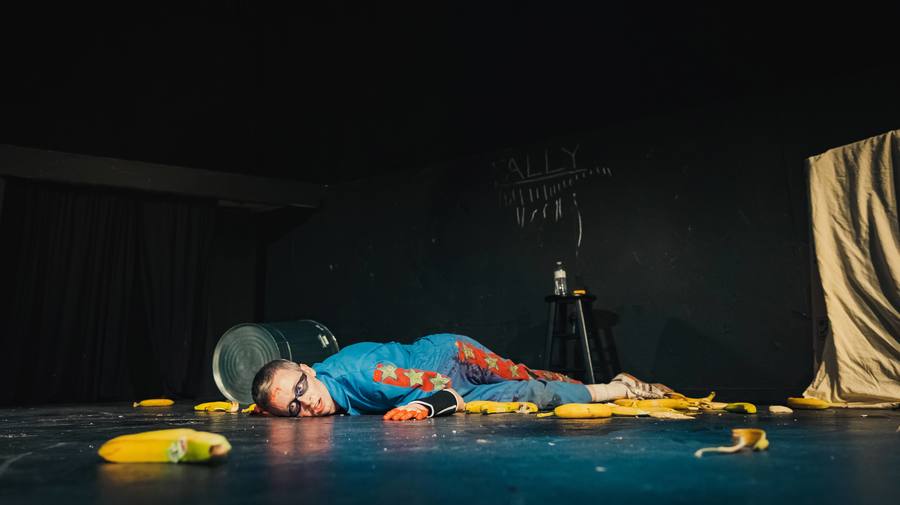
(856, 245)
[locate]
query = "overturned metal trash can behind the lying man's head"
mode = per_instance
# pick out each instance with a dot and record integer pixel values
(245, 348)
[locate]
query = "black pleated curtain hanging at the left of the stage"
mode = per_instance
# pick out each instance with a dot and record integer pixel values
(104, 294)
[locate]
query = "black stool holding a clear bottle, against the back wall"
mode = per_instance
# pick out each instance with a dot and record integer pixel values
(571, 318)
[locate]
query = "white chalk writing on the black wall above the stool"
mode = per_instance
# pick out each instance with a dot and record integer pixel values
(543, 187)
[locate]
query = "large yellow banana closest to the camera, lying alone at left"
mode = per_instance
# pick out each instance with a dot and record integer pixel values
(180, 445)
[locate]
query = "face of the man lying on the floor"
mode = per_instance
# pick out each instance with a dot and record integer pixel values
(314, 401)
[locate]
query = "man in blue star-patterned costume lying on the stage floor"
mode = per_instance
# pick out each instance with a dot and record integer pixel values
(434, 376)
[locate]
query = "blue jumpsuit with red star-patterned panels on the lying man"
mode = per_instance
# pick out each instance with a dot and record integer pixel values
(370, 378)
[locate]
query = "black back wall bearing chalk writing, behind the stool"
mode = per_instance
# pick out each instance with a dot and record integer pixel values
(693, 229)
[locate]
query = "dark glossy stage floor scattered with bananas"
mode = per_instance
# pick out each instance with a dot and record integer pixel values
(48, 455)
